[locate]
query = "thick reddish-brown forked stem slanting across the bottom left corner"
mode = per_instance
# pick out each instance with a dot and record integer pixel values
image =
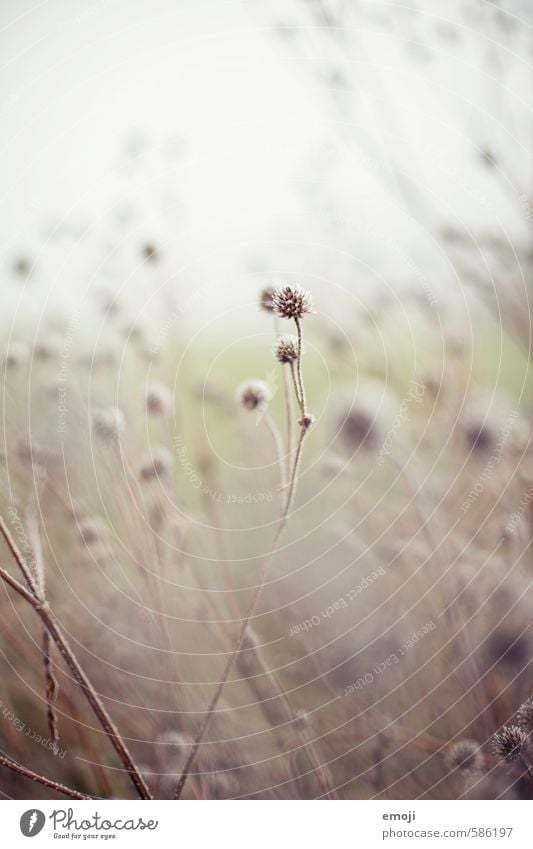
(45, 614)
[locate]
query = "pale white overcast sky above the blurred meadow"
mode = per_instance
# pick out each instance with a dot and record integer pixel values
(245, 140)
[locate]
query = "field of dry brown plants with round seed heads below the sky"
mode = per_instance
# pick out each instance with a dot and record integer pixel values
(295, 567)
